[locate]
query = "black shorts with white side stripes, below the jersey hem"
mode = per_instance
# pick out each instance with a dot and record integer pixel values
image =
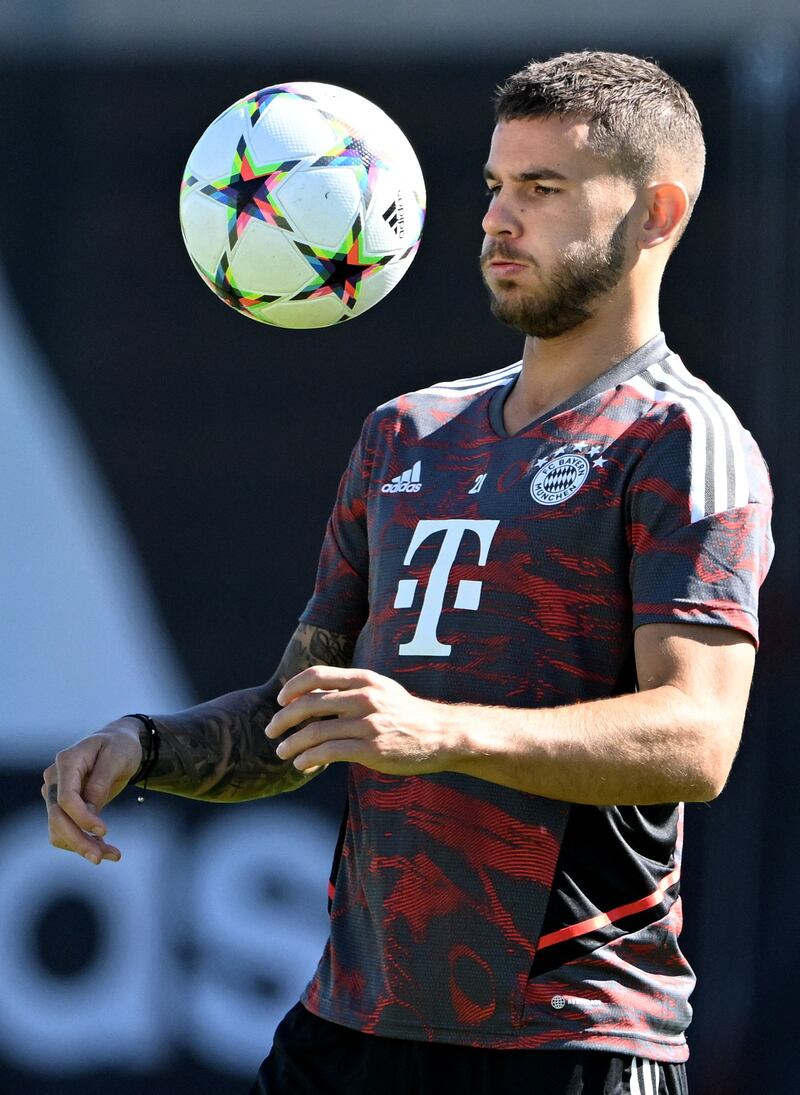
(314, 1057)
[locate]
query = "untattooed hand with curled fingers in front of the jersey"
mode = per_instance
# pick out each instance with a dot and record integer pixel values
(361, 717)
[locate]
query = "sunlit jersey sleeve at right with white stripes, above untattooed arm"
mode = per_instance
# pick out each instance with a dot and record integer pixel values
(700, 528)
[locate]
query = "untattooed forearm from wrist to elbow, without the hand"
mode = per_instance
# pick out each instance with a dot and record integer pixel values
(656, 746)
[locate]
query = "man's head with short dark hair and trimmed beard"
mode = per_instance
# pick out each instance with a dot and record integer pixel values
(597, 159)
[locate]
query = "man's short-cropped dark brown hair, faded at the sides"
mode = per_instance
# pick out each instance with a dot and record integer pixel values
(642, 119)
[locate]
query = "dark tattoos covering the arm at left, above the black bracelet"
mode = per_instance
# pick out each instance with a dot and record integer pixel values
(218, 751)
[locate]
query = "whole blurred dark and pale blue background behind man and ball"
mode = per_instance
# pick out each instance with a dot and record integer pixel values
(167, 469)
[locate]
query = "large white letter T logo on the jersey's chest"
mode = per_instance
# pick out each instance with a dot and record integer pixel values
(468, 596)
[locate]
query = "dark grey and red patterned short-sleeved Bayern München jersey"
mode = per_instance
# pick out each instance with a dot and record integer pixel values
(477, 567)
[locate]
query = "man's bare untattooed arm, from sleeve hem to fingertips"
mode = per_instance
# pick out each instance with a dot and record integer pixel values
(674, 741)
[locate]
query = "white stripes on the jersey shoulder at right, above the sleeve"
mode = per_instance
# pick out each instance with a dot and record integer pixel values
(718, 475)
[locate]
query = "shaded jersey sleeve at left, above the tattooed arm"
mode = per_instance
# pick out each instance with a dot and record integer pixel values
(340, 602)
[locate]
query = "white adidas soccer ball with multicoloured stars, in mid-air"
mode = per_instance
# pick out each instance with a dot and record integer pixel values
(303, 205)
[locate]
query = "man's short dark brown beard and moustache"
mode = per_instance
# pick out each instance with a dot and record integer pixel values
(576, 285)
